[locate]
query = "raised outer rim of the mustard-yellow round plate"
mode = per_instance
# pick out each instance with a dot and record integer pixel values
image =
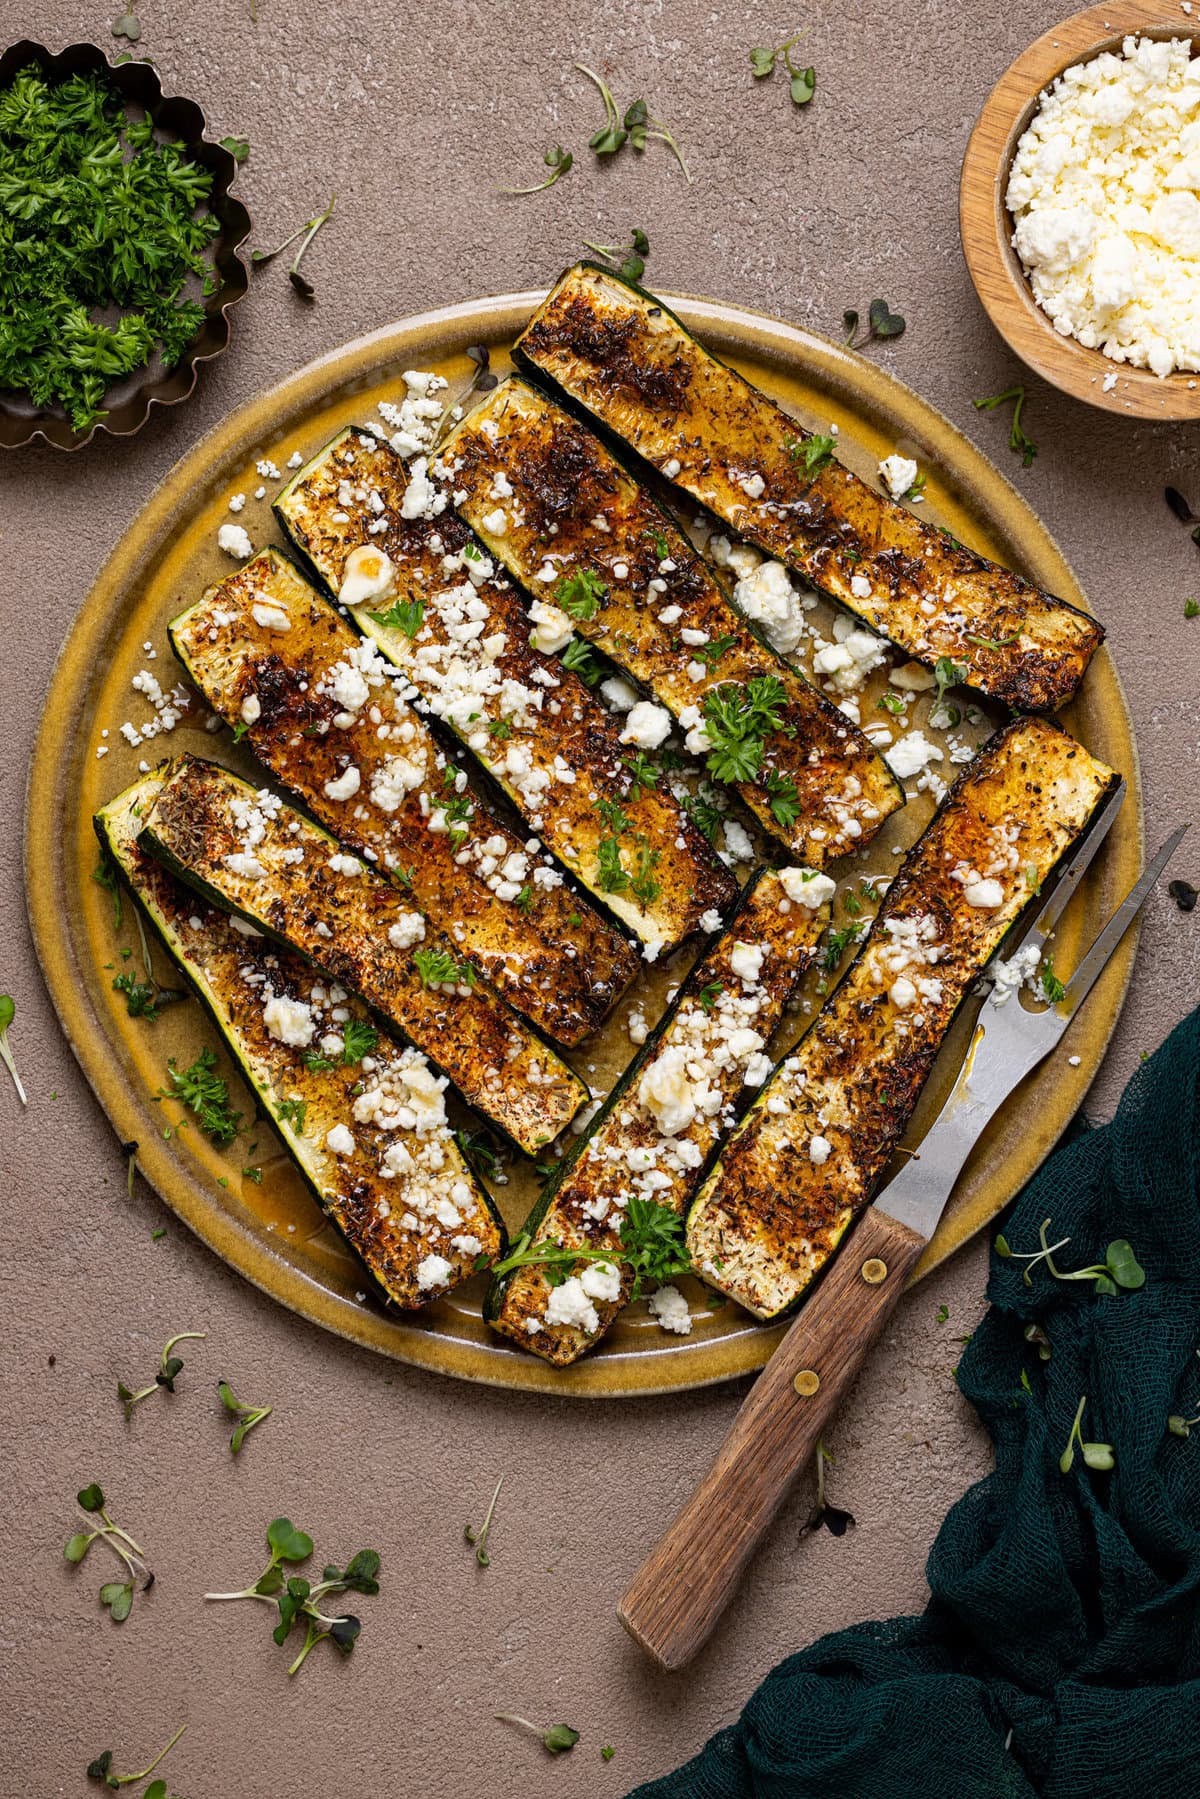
(677, 1366)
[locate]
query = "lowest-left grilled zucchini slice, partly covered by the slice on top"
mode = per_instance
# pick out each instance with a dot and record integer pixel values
(406, 1199)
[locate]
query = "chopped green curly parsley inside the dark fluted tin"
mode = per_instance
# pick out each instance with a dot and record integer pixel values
(102, 229)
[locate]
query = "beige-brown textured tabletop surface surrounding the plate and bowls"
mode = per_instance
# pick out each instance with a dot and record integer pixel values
(413, 116)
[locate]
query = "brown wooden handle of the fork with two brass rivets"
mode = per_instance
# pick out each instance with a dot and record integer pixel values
(683, 1588)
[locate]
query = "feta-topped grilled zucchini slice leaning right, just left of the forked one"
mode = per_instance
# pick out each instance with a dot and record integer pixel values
(703, 1059)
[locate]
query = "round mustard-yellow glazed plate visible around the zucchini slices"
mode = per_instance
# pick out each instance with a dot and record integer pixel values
(265, 1224)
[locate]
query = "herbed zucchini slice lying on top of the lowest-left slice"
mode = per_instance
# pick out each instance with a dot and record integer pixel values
(251, 854)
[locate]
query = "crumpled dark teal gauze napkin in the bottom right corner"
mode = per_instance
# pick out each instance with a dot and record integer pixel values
(1061, 1651)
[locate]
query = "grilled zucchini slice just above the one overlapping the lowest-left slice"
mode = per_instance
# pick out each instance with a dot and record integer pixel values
(550, 954)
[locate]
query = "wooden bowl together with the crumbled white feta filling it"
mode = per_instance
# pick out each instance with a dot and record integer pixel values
(1080, 208)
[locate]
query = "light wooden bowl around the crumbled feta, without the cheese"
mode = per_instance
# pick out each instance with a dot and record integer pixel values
(987, 226)
